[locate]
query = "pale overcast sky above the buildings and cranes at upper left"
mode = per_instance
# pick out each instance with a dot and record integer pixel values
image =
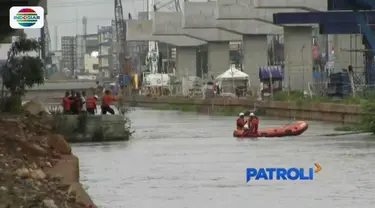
(66, 16)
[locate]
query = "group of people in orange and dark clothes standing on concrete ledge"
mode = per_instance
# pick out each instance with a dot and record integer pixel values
(75, 103)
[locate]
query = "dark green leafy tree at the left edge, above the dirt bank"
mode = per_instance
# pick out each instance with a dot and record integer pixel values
(20, 72)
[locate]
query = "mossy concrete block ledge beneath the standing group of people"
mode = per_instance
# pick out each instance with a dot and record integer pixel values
(92, 128)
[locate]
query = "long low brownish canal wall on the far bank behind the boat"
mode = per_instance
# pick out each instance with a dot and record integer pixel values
(341, 113)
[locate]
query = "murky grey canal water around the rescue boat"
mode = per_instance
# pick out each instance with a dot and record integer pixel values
(183, 160)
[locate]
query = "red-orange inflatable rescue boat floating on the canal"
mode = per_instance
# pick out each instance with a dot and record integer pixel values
(293, 129)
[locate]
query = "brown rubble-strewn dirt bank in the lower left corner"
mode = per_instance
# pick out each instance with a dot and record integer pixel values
(37, 168)
